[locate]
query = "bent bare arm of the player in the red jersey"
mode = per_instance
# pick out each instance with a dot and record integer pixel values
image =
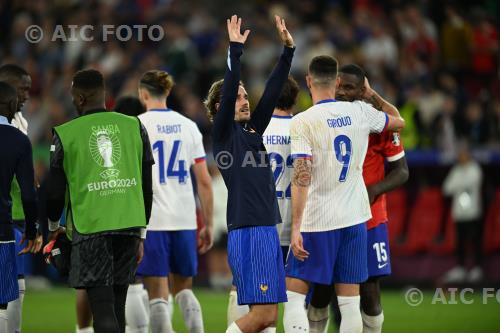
(396, 176)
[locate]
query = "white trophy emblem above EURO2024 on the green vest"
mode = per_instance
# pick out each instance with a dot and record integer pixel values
(105, 149)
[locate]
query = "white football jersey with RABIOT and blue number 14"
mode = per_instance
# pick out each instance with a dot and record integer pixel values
(177, 144)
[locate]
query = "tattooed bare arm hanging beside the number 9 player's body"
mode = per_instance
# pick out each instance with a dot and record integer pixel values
(301, 180)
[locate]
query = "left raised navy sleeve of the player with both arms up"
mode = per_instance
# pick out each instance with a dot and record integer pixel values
(225, 115)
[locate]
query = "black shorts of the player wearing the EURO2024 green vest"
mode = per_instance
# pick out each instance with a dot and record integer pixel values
(103, 260)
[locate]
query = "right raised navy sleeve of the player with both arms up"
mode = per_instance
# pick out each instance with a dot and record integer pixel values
(264, 110)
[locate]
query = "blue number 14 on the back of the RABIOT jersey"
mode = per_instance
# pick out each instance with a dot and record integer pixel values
(176, 168)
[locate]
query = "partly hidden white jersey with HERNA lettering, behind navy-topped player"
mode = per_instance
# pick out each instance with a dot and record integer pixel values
(277, 141)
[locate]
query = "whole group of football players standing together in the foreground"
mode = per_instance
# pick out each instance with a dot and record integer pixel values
(306, 207)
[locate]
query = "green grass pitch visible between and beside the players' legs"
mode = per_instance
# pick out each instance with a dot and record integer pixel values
(53, 311)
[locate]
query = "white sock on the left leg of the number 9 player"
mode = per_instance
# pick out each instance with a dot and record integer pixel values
(295, 316)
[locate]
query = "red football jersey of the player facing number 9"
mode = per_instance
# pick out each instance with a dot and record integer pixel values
(386, 145)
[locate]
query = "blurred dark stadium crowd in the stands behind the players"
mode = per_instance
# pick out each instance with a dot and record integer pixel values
(438, 61)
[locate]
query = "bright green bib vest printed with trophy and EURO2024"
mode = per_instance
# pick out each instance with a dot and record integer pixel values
(103, 167)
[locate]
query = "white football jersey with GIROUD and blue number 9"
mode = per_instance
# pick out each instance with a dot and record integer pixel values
(335, 136)
